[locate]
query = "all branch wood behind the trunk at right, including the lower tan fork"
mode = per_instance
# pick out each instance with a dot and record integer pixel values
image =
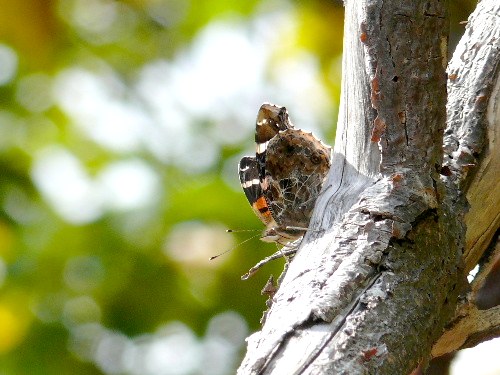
(472, 161)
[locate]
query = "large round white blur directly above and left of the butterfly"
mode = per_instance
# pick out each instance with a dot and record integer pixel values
(223, 66)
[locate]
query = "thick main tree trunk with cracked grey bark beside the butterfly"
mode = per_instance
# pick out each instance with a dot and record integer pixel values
(374, 290)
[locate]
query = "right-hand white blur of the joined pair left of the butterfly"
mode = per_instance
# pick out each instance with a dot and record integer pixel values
(129, 184)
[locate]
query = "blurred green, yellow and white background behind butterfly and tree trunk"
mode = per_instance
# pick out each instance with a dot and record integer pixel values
(121, 125)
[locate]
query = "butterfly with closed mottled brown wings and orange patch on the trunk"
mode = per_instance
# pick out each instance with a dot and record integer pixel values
(284, 179)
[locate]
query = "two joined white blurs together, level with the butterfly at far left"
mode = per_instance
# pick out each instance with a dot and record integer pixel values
(78, 198)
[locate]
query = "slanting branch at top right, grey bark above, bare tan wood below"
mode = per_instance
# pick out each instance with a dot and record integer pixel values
(473, 112)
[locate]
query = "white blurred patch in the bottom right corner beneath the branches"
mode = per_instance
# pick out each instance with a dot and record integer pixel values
(480, 360)
